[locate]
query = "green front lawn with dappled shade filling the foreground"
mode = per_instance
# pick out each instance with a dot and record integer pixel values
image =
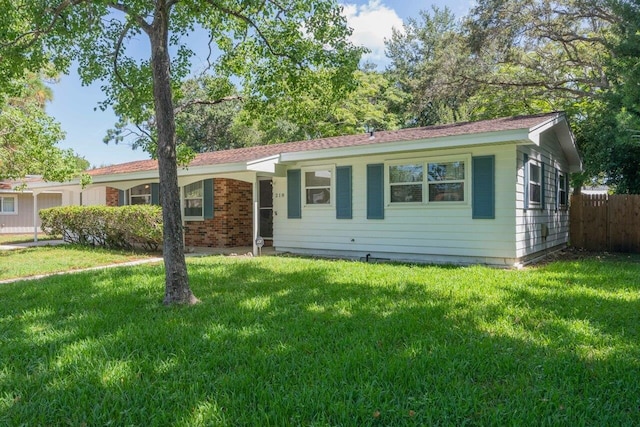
(284, 341)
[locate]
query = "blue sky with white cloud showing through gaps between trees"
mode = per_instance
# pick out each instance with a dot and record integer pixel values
(74, 106)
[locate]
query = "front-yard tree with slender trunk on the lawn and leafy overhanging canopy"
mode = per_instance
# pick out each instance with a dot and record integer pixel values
(275, 49)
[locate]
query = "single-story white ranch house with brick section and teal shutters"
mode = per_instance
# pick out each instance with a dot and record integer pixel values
(493, 192)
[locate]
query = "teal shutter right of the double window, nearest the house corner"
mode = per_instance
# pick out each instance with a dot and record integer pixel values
(483, 187)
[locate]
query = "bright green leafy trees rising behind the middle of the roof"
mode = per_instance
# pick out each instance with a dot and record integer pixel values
(374, 103)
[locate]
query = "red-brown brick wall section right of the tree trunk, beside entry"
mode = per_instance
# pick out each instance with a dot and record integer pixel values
(232, 223)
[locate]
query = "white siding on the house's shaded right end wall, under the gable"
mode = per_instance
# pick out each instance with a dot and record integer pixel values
(530, 242)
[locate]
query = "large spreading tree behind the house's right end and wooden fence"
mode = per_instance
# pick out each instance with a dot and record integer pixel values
(510, 57)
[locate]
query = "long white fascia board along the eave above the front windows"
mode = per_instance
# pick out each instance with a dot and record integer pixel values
(487, 138)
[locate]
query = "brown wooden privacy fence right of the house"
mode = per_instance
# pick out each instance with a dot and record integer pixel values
(601, 222)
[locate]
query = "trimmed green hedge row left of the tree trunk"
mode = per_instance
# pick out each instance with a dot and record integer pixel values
(124, 227)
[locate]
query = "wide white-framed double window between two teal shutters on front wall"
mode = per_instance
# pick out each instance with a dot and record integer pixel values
(435, 181)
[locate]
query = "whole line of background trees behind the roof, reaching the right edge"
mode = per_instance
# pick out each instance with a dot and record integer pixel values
(505, 58)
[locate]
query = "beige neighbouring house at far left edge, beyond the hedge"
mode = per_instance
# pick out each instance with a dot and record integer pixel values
(18, 209)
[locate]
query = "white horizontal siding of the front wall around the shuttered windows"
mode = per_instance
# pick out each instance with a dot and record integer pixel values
(439, 233)
